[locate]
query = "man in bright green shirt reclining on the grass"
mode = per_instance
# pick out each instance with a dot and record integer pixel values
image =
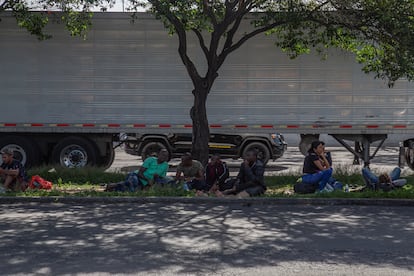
(153, 170)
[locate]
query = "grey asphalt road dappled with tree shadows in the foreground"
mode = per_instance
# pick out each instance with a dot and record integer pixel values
(189, 239)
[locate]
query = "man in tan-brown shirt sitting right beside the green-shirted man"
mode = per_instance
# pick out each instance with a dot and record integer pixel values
(191, 172)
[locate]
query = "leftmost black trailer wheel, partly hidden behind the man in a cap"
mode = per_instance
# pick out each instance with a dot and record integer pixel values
(25, 150)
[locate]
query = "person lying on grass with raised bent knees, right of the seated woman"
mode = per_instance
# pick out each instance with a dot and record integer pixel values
(385, 182)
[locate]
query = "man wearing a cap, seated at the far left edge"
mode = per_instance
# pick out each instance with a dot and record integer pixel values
(12, 173)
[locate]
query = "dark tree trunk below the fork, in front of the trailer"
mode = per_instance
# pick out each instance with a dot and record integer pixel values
(201, 131)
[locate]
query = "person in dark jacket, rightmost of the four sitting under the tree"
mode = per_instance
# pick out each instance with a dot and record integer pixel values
(250, 180)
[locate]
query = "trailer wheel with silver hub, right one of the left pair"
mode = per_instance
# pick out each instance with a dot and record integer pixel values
(74, 152)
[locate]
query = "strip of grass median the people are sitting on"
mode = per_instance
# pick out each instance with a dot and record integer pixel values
(90, 182)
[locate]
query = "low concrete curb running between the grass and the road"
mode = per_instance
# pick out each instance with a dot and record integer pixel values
(206, 200)
